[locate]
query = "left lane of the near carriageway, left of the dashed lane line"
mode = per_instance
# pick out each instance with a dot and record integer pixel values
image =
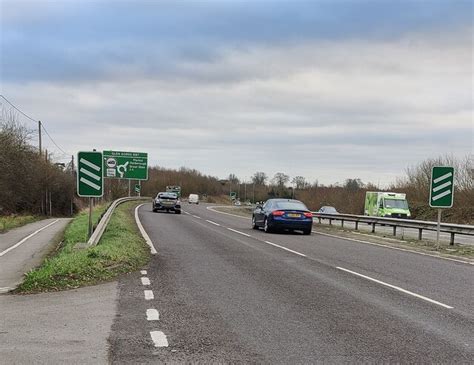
(225, 297)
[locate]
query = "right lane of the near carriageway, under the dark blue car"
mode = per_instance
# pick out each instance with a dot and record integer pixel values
(446, 281)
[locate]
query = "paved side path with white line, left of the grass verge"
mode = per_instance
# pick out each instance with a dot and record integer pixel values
(24, 248)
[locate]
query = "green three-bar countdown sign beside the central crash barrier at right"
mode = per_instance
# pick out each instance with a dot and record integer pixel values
(442, 187)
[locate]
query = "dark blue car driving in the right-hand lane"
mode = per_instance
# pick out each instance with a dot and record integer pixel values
(281, 214)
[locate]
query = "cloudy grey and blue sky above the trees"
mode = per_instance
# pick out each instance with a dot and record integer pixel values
(324, 89)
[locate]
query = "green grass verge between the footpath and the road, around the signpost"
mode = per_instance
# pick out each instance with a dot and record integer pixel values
(121, 250)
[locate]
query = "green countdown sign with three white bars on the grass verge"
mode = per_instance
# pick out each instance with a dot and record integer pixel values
(89, 174)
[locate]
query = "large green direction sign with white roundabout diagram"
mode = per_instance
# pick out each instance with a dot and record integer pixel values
(126, 165)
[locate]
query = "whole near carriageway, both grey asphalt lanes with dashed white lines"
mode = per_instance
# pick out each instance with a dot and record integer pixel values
(218, 291)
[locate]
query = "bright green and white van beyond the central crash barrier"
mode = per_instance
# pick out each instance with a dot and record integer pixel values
(384, 204)
